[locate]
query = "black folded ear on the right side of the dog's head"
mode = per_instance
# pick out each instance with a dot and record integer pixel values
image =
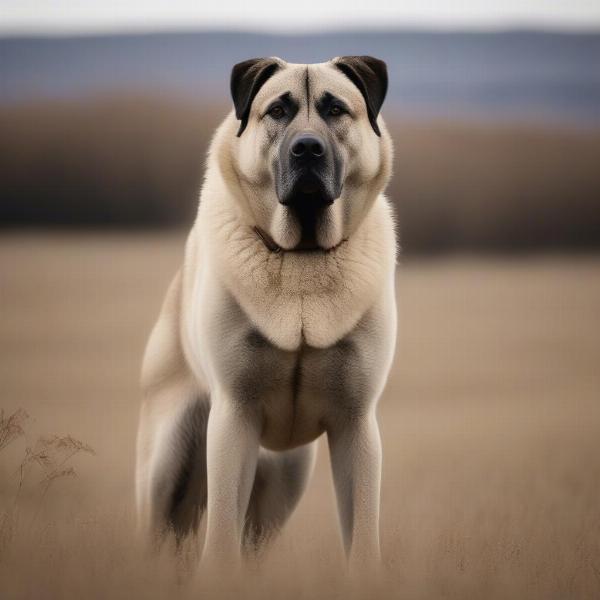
(369, 75)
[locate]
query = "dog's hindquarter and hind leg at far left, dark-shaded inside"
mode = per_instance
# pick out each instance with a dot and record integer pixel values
(171, 444)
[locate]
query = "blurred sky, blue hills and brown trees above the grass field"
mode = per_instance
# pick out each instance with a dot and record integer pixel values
(105, 114)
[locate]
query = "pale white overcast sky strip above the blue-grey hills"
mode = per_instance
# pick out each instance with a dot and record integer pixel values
(75, 16)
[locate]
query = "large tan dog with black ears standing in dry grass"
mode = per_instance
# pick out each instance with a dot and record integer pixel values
(281, 323)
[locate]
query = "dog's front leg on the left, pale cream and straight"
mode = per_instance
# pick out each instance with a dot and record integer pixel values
(232, 451)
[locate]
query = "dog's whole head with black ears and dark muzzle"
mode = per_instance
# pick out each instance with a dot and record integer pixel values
(310, 154)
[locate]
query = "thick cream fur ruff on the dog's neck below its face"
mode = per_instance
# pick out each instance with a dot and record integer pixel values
(295, 297)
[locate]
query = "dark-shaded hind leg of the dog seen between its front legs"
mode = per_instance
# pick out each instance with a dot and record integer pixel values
(280, 480)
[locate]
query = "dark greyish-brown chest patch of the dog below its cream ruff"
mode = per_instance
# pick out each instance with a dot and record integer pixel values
(296, 392)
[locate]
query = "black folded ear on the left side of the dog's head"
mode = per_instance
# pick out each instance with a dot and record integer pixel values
(246, 80)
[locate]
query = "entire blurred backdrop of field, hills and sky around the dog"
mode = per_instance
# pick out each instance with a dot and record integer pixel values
(490, 421)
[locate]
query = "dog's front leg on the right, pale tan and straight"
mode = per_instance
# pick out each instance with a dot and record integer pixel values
(355, 448)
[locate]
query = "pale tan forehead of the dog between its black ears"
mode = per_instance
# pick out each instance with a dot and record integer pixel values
(316, 78)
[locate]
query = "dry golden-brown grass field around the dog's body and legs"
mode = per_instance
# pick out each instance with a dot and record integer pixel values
(490, 423)
